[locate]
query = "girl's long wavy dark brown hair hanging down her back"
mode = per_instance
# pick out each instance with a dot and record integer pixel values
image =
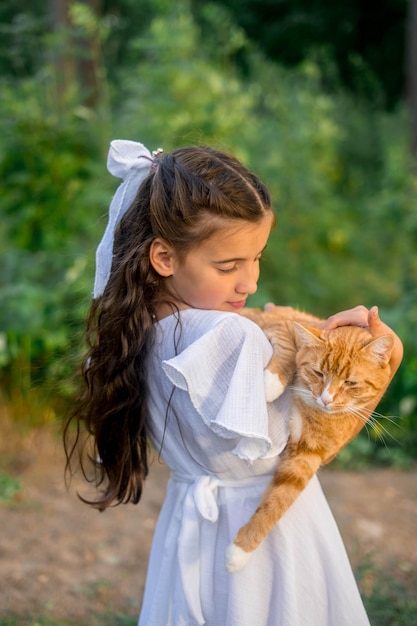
(182, 202)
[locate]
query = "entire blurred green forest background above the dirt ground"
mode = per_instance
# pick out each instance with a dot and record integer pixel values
(318, 98)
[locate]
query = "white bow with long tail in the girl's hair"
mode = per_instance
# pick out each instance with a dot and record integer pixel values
(132, 162)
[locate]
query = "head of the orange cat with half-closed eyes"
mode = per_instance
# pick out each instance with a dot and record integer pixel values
(341, 369)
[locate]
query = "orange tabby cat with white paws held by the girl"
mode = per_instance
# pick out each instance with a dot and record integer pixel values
(333, 376)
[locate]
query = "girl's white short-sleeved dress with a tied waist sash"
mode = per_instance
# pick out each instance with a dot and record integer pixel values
(221, 441)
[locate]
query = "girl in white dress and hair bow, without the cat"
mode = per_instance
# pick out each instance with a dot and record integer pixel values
(172, 362)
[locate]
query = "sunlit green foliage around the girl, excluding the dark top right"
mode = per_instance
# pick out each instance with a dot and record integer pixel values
(338, 169)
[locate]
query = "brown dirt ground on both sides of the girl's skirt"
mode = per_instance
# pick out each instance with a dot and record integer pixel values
(60, 558)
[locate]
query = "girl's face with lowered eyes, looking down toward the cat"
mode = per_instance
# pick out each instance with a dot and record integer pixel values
(220, 273)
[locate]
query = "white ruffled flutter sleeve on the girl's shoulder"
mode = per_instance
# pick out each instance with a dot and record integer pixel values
(223, 373)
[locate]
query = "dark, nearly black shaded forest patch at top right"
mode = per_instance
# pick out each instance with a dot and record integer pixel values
(366, 53)
